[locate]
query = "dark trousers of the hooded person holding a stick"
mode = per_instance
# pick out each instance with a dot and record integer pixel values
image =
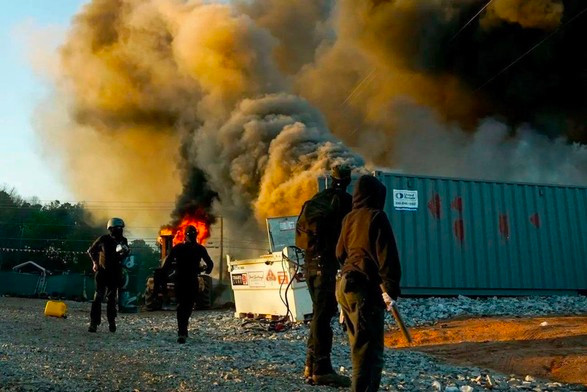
(363, 317)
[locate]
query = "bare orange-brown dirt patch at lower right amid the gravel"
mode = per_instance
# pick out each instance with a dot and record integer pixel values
(552, 348)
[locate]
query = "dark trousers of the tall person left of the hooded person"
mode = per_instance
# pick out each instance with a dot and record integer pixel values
(322, 292)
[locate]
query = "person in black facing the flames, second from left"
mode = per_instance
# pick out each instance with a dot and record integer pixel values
(187, 258)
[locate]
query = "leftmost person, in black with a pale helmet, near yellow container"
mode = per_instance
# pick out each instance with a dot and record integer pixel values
(107, 254)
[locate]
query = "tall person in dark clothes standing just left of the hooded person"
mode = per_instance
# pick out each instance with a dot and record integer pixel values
(323, 216)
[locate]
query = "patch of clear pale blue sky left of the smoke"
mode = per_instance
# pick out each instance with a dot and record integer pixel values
(22, 165)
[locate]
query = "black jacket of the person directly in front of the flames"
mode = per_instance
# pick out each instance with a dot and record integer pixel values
(186, 258)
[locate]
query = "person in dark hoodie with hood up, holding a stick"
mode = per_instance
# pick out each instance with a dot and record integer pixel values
(368, 251)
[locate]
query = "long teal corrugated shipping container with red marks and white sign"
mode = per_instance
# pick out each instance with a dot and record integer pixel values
(469, 237)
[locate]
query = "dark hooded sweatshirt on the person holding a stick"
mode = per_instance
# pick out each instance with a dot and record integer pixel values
(366, 243)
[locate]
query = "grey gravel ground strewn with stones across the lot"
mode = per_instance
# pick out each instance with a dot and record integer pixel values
(48, 354)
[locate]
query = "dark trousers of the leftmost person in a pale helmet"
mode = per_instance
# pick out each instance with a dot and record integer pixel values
(107, 284)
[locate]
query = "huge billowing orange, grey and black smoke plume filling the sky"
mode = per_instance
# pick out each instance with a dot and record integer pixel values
(237, 107)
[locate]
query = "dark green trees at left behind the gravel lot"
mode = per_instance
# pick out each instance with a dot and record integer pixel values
(54, 235)
